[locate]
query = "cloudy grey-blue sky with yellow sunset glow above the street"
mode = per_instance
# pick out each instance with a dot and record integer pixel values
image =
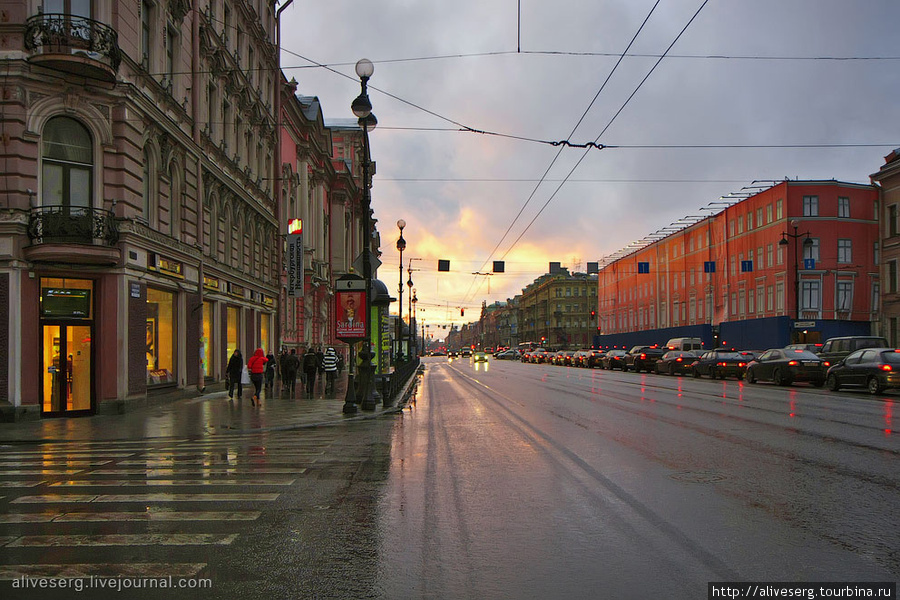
(757, 80)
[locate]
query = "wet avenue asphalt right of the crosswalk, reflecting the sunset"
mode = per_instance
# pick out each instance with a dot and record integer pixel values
(535, 481)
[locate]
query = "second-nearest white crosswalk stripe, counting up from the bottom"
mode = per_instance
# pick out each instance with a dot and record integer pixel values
(123, 539)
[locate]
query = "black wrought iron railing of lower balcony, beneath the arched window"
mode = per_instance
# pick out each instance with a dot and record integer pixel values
(72, 225)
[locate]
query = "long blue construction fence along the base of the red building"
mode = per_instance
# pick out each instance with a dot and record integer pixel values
(750, 334)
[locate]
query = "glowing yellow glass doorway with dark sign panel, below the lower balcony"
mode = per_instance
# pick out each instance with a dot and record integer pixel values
(66, 313)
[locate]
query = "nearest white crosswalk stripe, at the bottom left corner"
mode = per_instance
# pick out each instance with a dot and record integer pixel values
(85, 571)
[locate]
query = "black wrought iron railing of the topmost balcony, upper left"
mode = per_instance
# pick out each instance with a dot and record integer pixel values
(68, 34)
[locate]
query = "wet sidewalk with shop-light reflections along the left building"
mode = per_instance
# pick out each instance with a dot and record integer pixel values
(207, 414)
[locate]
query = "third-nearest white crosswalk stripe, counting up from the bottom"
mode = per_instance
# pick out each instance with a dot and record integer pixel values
(155, 515)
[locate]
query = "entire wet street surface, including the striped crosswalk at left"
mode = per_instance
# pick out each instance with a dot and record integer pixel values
(519, 481)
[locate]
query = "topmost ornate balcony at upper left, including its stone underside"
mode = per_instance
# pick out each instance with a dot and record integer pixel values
(73, 44)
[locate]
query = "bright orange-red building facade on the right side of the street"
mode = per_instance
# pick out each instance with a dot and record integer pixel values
(734, 267)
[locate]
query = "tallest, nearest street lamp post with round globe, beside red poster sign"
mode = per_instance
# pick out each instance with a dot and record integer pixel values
(362, 108)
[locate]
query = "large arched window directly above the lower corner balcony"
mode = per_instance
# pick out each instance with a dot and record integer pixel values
(67, 167)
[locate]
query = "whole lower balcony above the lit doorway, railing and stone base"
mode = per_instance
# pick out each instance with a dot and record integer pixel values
(72, 235)
